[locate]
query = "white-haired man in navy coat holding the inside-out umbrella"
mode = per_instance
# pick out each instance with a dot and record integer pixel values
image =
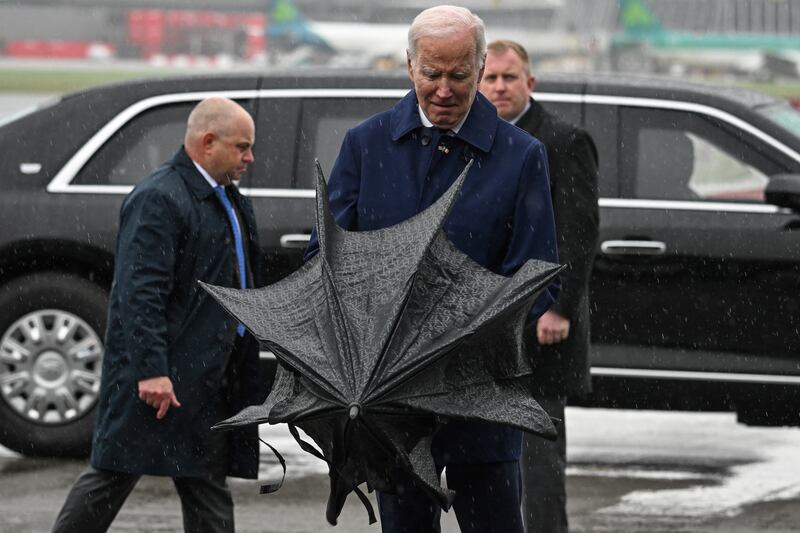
(398, 163)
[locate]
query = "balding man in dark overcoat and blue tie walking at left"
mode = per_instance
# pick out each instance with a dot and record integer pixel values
(175, 363)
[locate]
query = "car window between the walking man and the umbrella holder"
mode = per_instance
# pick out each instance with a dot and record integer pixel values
(324, 123)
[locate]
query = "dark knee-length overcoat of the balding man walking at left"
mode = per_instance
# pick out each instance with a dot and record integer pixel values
(173, 232)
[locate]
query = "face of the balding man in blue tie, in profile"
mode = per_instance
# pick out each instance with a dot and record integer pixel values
(229, 154)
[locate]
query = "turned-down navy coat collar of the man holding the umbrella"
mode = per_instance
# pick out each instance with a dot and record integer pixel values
(479, 130)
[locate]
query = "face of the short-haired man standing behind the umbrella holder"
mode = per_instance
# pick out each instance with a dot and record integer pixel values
(506, 83)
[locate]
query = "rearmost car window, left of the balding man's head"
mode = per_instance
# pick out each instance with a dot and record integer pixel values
(138, 148)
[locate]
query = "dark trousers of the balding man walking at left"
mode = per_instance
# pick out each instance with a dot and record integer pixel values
(97, 496)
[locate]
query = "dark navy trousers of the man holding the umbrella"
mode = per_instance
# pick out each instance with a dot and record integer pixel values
(487, 501)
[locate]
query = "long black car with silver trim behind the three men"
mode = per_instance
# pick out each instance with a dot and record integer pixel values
(695, 292)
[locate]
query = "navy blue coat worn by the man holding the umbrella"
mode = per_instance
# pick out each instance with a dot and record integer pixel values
(390, 167)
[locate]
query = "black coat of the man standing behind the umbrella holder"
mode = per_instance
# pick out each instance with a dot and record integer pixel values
(563, 369)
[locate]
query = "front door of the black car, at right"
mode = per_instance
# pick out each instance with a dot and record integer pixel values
(695, 275)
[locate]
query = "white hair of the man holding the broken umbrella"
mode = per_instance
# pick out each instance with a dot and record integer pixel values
(445, 21)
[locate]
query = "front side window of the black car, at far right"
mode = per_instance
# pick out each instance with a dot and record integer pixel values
(684, 156)
